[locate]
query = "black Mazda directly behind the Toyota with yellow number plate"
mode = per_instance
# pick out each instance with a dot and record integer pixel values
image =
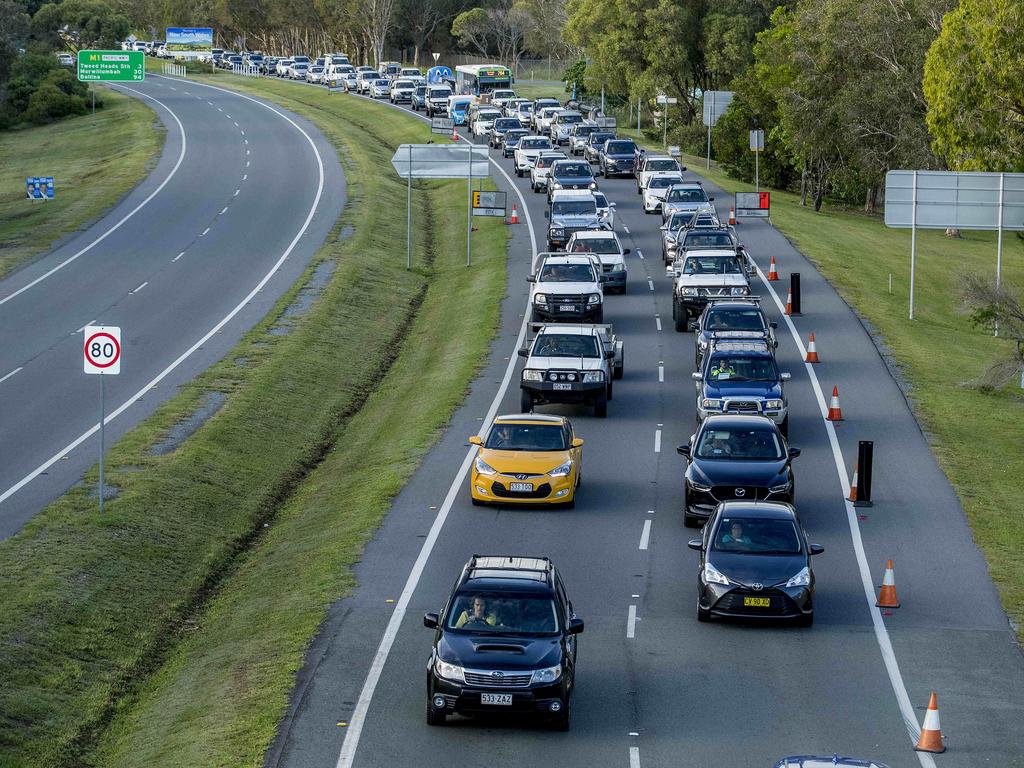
(736, 458)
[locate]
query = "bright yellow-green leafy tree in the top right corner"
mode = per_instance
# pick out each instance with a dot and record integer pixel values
(974, 83)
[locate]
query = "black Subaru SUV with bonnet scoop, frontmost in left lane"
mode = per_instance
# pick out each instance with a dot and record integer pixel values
(504, 642)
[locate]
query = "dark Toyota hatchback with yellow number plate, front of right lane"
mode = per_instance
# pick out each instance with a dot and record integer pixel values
(756, 563)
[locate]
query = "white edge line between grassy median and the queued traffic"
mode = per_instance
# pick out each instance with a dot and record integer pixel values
(348, 754)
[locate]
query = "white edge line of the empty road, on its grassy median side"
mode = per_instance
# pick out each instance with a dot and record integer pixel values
(209, 334)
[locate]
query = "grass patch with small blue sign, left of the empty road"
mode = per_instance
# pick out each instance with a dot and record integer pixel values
(94, 165)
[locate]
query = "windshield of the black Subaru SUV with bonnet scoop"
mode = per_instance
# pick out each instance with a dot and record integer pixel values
(503, 614)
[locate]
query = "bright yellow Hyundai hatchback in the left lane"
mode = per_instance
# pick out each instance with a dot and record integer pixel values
(527, 459)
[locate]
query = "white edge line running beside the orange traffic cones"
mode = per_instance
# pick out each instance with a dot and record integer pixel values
(881, 633)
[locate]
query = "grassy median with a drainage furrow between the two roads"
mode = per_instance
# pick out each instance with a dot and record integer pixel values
(169, 631)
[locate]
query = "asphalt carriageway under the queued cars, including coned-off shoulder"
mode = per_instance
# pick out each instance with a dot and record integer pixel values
(656, 688)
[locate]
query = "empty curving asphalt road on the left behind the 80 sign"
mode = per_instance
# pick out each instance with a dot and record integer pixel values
(243, 196)
